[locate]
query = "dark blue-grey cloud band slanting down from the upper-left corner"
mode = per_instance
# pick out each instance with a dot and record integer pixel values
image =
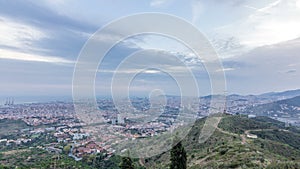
(30, 12)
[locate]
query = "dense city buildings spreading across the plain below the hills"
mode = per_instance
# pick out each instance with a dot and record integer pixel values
(64, 131)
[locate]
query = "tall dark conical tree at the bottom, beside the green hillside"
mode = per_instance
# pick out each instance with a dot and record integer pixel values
(178, 157)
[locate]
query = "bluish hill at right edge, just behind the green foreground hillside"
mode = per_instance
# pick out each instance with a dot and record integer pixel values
(283, 108)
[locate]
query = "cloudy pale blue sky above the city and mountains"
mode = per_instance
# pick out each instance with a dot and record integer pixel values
(258, 43)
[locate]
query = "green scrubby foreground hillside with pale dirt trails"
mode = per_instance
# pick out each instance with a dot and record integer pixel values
(229, 146)
